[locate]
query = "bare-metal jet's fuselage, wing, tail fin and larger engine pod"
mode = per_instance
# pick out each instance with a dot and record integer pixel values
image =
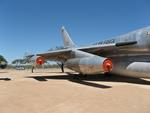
(127, 55)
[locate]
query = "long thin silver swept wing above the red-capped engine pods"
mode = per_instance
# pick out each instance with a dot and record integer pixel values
(64, 54)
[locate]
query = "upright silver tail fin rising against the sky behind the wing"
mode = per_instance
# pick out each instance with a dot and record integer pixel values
(66, 38)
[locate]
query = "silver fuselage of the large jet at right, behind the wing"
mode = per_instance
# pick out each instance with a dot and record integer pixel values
(132, 60)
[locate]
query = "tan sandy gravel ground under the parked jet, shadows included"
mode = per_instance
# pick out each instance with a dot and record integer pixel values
(50, 91)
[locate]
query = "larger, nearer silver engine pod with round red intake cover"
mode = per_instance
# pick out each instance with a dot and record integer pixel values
(90, 65)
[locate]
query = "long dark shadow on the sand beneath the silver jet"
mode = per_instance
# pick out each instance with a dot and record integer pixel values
(87, 80)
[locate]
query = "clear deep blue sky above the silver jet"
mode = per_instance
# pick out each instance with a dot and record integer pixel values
(34, 25)
